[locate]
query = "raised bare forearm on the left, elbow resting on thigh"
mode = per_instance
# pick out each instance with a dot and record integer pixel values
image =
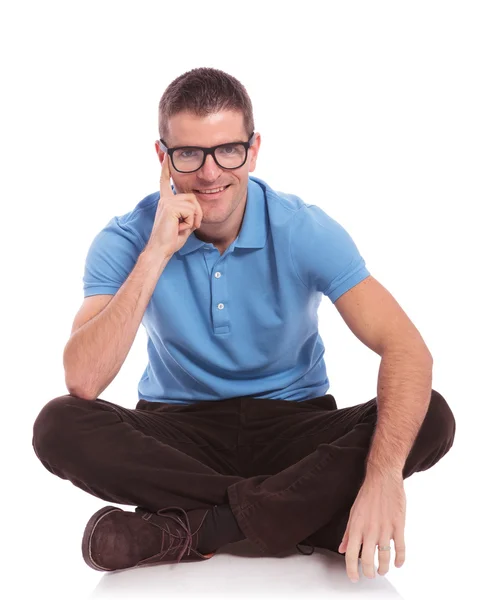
(96, 352)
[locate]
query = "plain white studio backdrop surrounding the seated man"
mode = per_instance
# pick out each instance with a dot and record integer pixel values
(387, 96)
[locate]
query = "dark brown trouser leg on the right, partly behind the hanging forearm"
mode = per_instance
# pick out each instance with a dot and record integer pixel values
(314, 489)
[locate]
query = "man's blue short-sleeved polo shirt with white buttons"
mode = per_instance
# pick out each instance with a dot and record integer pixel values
(243, 323)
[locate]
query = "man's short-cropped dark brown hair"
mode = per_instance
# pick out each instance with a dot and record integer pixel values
(204, 91)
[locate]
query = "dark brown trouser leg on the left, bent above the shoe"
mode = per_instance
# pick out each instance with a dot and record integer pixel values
(154, 456)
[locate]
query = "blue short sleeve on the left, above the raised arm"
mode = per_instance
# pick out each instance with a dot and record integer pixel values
(110, 259)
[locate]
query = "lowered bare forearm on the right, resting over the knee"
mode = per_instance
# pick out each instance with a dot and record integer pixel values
(403, 395)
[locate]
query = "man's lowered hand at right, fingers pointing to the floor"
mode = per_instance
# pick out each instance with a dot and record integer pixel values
(377, 516)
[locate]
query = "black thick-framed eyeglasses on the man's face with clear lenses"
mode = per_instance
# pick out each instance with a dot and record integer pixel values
(187, 159)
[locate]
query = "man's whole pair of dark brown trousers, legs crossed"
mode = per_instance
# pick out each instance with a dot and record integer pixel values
(289, 470)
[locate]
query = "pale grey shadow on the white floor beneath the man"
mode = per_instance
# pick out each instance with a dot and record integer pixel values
(240, 570)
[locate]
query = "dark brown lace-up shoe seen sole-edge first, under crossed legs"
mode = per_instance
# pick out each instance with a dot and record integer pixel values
(117, 539)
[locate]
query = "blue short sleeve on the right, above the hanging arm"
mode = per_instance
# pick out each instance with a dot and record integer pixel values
(324, 255)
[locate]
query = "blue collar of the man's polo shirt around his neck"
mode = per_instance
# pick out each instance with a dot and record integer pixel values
(254, 229)
